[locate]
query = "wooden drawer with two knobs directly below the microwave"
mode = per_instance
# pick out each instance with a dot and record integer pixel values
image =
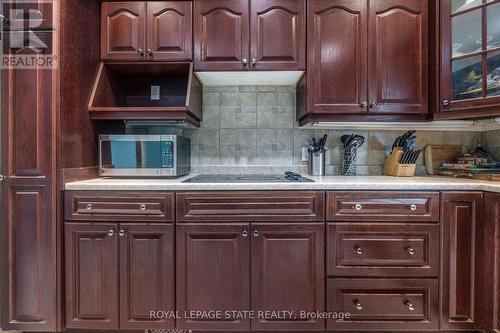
(119, 206)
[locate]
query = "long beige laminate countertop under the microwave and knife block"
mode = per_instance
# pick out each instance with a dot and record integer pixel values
(321, 183)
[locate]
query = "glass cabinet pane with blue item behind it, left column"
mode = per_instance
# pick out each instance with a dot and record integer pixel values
(467, 78)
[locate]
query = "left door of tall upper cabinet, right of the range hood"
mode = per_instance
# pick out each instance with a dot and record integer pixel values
(337, 56)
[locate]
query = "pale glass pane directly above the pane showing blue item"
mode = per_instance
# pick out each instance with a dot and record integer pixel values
(466, 33)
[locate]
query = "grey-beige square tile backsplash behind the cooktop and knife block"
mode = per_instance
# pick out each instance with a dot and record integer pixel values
(252, 129)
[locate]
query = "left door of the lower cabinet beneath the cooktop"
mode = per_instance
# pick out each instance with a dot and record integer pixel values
(213, 274)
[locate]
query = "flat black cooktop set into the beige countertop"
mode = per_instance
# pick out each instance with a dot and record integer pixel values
(247, 178)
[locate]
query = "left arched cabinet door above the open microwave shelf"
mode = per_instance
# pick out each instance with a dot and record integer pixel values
(123, 31)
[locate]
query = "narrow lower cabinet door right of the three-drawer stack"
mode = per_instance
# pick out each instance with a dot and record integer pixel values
(460, 254)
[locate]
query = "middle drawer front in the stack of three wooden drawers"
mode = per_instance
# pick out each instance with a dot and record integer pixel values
(383, 249)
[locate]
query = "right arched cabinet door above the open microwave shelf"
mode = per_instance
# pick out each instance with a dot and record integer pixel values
(169, 32)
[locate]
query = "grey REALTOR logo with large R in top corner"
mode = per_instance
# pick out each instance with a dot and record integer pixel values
(27, 34)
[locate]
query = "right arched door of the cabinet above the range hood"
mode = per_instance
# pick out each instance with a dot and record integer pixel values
(278, 34)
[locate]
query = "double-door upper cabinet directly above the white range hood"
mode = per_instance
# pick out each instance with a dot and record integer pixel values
(241, 35)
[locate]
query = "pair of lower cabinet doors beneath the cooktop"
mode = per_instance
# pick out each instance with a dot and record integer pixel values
(243, 267)
